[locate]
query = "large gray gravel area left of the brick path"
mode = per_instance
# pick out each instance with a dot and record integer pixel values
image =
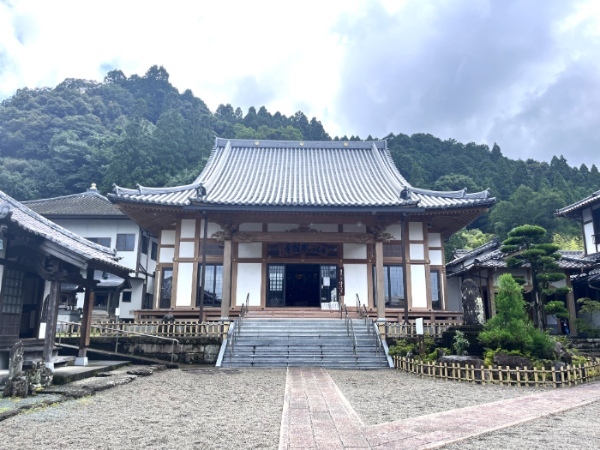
(201, 409)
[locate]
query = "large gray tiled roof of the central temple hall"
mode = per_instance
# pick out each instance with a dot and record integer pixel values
(301, 174)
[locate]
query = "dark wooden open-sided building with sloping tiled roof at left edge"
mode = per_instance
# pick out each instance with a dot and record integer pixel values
(36, 257)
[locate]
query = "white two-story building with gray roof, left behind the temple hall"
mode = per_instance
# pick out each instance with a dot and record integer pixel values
(93, 216)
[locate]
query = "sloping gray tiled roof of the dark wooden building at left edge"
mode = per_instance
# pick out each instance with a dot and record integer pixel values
(95, 255)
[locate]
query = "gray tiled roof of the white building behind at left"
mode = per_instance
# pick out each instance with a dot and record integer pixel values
(85, 204)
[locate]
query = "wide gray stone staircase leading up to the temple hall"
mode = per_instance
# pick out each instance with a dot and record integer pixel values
(304, 342)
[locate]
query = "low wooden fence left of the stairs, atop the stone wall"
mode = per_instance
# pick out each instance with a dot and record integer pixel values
(155, 328)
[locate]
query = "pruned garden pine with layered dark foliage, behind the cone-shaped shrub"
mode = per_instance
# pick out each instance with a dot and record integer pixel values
(527, 246)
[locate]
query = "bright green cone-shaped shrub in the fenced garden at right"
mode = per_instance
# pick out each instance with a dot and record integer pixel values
(510, 329)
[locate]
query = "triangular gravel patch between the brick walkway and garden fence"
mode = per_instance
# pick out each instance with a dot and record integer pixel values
(389, 395)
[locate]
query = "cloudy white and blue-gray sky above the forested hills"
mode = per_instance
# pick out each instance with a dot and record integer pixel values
(522, 73)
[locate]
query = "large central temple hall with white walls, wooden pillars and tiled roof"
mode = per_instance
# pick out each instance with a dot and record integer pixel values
(292, 227)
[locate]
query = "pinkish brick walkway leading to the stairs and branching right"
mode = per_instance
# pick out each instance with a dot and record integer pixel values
(316, 415)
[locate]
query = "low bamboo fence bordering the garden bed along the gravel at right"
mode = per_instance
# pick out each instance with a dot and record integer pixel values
(569, 375)
